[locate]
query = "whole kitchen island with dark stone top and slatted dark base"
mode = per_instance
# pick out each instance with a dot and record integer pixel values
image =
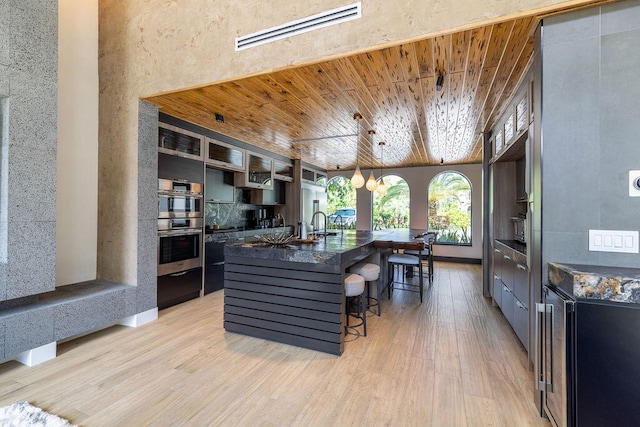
(294, 293)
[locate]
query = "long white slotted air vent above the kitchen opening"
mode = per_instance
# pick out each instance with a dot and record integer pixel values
(321, 20)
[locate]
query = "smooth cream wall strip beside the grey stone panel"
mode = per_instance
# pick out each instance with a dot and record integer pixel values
(77, 157)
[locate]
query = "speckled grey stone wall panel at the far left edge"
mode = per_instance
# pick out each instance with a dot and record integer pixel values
(28, 87)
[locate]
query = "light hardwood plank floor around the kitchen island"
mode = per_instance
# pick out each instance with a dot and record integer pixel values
(452, 360)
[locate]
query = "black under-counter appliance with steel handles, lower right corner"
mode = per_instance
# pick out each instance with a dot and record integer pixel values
(590, 351)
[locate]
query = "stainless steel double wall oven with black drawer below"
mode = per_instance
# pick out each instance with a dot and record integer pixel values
(180, 226)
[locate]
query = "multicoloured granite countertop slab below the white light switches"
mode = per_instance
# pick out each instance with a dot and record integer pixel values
(616, 284)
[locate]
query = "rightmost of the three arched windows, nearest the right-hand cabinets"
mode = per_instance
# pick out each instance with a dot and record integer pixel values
(449, 208)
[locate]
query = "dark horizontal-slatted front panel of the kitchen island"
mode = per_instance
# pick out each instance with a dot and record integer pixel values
(301, 304)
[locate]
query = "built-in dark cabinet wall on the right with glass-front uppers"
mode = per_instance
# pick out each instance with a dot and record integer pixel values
(508, 157)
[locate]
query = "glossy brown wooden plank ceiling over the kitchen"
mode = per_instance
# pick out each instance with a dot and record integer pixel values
(394, 89)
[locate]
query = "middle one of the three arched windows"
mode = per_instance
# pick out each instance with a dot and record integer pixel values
(391, 210)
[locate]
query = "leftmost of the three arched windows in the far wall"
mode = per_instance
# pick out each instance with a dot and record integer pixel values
(341, 203)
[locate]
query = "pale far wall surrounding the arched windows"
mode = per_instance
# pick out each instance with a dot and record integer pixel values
(418, 179)
